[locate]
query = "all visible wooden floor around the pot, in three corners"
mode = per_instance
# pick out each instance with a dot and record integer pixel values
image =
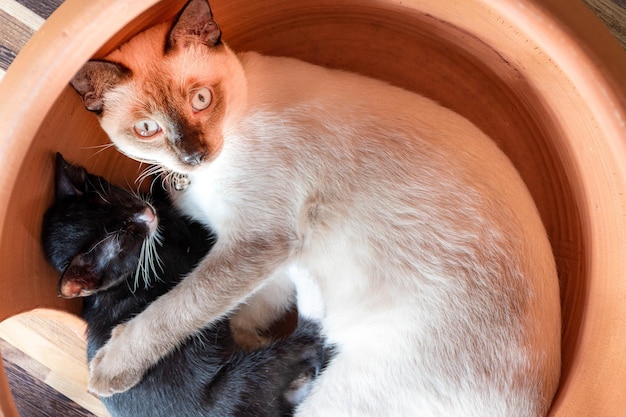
(44, 353)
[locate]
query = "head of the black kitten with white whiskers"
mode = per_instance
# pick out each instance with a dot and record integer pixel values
(95, 233)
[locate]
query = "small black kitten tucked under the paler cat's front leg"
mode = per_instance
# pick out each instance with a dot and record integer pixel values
(120, 251)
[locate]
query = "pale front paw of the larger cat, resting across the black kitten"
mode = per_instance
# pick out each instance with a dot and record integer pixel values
(114, 368)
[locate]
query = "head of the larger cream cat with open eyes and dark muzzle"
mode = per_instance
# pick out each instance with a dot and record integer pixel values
(165, 96)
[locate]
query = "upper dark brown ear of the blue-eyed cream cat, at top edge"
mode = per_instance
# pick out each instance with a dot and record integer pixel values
(194, 24)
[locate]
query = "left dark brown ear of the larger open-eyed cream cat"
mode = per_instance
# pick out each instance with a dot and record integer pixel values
(94, 79)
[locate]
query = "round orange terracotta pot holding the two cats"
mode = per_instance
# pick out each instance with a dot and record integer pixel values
(543, 77)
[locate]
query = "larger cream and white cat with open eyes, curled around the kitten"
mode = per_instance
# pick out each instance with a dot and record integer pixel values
(439, 286)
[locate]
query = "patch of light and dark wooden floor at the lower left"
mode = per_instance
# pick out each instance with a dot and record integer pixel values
(43, 353)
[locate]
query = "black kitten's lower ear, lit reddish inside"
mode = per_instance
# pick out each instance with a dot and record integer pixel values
(79, 278)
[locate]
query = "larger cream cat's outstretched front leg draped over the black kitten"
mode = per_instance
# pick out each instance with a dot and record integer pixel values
(228, 275)
